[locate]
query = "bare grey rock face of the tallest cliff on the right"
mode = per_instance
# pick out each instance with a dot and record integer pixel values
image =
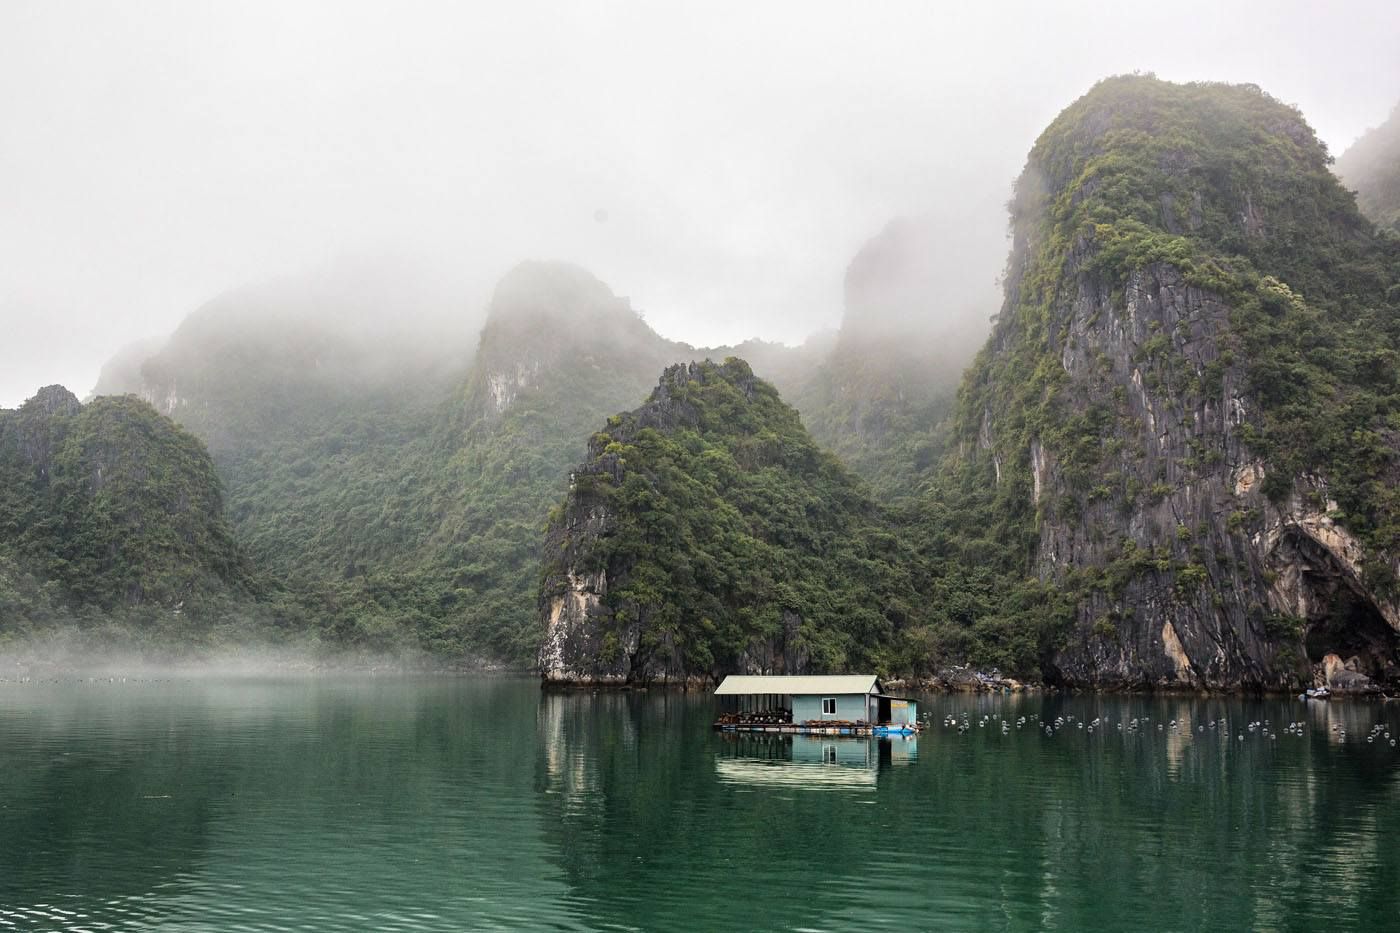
(1220, 586)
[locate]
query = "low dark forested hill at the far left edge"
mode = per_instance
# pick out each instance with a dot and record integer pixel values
(108, 508)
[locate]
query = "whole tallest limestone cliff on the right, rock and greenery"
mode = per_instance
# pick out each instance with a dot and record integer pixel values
(1146, 397)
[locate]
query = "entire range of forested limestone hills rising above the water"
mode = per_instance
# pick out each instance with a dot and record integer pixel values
(1175, 462)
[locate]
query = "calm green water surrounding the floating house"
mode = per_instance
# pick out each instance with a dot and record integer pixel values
(458, 805)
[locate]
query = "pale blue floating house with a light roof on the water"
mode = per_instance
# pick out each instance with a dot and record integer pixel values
(835, 705)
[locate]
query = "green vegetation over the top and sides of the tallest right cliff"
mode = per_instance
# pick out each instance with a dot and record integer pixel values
(1233, 190)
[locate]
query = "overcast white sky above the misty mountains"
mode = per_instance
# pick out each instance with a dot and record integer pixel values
(157, 153)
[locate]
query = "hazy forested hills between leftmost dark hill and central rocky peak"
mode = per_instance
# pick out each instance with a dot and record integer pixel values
(390, 488)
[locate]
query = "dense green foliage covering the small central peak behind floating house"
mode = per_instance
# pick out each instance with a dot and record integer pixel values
(727, 520)
